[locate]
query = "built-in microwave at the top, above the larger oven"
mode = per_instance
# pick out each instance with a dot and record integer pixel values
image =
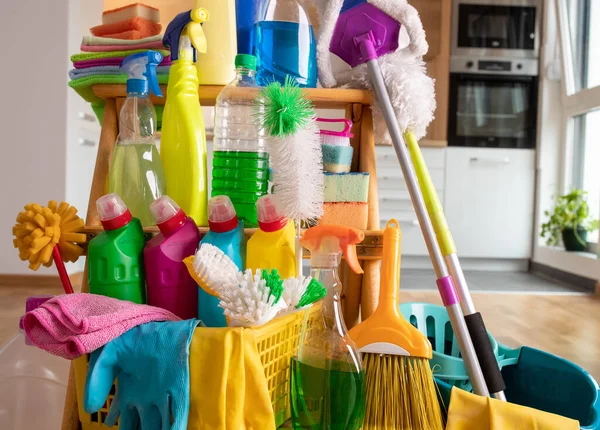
(496, 28)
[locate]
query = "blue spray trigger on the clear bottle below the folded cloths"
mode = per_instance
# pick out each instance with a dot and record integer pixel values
(141, 68)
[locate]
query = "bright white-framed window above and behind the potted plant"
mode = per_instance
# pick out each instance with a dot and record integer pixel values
(579, 26)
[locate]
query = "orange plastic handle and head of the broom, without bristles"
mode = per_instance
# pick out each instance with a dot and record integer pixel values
(387, 331)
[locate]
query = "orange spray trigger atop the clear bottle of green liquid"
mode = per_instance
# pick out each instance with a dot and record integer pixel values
(334, 239)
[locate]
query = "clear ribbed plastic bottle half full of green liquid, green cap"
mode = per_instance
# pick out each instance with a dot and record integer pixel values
(240, 153)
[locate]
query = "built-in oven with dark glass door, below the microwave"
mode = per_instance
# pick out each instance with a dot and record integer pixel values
(493, 103)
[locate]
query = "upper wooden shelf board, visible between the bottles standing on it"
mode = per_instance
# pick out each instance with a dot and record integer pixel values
(321, 97)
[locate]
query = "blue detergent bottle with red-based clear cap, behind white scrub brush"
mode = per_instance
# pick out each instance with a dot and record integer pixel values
(226, 233)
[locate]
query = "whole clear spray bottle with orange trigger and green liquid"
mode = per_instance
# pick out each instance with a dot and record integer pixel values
(327, 380)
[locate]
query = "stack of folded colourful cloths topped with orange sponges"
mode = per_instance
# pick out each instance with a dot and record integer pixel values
(124, 31)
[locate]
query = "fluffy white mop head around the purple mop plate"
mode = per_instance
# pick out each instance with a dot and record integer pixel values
(411, 90)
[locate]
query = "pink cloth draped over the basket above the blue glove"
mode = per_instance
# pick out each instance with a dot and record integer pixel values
(72, 325)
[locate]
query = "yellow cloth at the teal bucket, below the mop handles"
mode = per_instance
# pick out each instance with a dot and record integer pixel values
(468, 411)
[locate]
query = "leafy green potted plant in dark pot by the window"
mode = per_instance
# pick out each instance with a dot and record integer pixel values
(570, 221)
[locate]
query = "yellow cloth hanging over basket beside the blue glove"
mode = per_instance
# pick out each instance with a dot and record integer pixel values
(227, 380)
